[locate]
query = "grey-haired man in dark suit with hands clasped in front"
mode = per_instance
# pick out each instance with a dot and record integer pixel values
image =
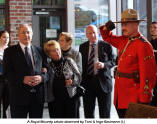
(22, 66)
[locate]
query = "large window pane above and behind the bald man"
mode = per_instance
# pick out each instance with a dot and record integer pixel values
(89, 12)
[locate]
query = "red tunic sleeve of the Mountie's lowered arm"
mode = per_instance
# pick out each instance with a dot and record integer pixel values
(147, 70)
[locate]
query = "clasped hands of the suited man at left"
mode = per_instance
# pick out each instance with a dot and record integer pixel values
(32, 80)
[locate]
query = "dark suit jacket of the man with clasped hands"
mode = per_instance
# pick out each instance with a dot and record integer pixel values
(15, 68)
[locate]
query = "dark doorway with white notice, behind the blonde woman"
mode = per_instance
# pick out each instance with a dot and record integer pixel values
(47, 25)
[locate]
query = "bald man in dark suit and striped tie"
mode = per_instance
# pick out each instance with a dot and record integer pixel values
(96, 78)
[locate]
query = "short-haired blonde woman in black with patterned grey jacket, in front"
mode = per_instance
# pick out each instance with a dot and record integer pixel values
(64, 75)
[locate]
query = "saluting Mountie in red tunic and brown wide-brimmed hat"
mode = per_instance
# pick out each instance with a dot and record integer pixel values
(135, 76)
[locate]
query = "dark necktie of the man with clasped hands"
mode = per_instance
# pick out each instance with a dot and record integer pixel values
(29, 61)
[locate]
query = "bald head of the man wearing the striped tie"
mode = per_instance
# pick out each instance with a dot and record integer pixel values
(92, 33)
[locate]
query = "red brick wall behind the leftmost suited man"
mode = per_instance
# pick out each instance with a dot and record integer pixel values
(20, 12)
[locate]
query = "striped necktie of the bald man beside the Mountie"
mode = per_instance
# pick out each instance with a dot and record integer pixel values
(90, 70)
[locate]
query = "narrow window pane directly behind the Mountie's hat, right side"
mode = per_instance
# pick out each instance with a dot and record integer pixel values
(140, 6)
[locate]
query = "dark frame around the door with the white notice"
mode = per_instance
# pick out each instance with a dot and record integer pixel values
(47, 11)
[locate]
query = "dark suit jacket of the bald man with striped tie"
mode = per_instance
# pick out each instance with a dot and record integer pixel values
(105, 55)
